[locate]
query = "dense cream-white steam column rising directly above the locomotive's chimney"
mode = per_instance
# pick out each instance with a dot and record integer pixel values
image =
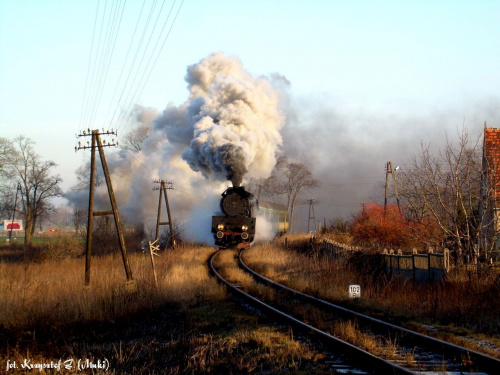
(234, 120)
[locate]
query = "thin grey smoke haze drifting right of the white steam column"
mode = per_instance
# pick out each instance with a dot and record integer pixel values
(347, 147)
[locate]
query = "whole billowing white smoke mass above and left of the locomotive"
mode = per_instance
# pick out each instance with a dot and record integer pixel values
(227, 129)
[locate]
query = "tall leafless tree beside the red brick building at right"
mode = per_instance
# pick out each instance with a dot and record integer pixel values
(447, 188)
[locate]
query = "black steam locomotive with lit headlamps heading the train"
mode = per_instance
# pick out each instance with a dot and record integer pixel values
(237, 227)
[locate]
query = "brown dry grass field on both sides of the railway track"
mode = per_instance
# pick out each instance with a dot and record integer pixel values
(188, 325)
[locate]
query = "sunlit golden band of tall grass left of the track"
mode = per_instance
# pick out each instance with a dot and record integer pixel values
(52, 292)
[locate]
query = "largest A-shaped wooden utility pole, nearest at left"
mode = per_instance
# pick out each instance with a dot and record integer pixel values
(97, 143)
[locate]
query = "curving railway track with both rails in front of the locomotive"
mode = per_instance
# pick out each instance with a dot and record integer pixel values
(428, 354)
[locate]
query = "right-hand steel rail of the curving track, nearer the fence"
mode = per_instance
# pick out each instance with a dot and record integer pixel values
(483, 361)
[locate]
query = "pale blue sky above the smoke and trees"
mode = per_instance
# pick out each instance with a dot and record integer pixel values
(376, 57)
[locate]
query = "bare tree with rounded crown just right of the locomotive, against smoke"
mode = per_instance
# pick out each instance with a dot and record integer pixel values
(289, 178)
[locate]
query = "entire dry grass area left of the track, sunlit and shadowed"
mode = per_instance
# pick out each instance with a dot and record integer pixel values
(187, 325)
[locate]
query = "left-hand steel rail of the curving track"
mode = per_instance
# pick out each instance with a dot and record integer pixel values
(368, 361)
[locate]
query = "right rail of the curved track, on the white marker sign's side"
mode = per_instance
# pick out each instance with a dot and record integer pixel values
(479, 361)
